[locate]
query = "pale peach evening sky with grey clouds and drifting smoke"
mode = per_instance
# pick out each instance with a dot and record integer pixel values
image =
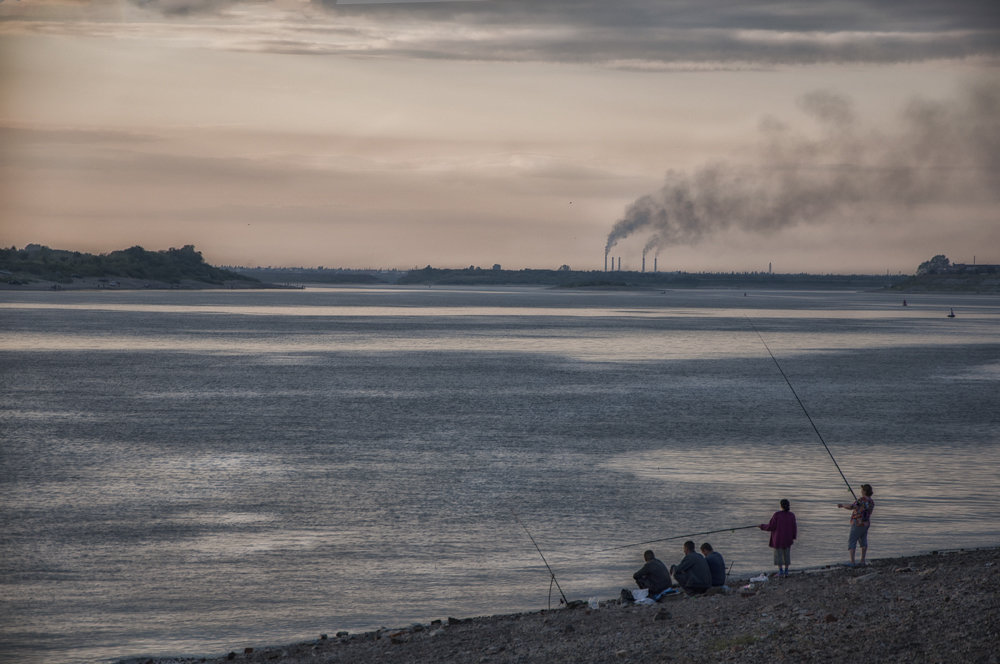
(842, 136)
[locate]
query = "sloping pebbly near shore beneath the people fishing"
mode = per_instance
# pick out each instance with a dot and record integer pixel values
(937, 607)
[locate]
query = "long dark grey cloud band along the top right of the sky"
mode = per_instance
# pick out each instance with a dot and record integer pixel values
(646, 33)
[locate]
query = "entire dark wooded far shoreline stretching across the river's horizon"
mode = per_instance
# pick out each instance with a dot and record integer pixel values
(37, 267)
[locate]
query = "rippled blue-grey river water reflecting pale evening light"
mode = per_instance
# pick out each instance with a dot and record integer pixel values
(198, 472)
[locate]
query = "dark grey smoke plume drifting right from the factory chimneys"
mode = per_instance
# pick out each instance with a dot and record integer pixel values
(938, 152)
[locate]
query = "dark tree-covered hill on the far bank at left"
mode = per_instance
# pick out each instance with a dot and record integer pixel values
(172, 266)
